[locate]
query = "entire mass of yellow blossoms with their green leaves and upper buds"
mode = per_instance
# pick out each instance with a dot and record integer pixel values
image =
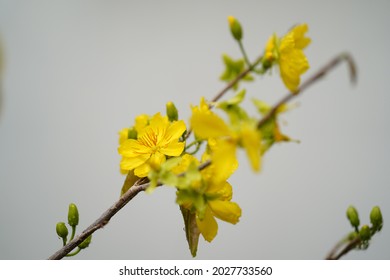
(158, 147)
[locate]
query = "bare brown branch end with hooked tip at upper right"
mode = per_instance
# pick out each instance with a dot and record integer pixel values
(314, 78)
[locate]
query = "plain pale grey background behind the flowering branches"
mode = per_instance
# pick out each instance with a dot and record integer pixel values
(76, 72)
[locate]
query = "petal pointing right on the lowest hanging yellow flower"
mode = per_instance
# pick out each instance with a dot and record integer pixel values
(225, 210)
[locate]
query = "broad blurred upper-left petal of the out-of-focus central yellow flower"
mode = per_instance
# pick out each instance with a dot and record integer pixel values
(208, 125)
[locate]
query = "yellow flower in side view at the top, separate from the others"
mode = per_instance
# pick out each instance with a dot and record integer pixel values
(288, 53)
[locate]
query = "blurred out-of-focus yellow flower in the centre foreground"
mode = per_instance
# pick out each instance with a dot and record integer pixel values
(208, 125)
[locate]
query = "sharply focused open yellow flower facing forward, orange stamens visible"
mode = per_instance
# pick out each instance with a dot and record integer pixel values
(156, 140)
